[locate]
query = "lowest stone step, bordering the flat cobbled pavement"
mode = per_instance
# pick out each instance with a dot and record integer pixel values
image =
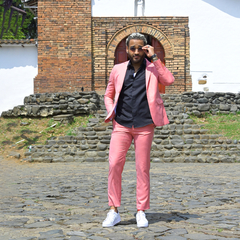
(161, 156)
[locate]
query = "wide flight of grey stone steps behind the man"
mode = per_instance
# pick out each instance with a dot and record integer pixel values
(180, 141)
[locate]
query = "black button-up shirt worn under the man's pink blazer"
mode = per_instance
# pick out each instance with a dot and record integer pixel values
(132, 107)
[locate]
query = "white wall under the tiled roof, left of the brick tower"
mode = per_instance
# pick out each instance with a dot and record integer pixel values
(18, 67)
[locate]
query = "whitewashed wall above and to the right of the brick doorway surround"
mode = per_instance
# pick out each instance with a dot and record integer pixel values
(214, 35)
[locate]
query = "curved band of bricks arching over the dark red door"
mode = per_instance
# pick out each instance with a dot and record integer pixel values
(142, 28)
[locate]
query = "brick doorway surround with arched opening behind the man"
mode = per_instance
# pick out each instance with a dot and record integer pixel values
(172, 32)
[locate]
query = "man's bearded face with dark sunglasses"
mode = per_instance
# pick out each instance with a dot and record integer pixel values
(135, 52)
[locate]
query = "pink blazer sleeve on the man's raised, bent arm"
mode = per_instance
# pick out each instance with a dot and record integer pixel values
(165, 77)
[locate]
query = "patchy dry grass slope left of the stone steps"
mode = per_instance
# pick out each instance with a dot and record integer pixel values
(37, 131)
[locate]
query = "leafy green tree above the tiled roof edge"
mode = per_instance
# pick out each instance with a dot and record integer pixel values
(12, 24)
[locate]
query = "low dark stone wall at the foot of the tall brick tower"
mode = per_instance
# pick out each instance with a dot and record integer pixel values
(52, 104)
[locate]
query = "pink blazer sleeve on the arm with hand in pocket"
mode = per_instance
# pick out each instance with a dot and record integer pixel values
(110, 92)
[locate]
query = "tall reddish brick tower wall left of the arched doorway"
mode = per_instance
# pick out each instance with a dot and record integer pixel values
(64, 46)
